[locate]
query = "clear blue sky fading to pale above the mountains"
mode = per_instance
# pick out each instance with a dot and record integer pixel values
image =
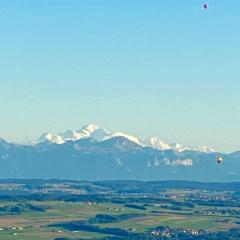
(147, 67)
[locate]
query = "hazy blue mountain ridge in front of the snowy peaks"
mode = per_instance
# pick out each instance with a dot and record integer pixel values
(115, 157)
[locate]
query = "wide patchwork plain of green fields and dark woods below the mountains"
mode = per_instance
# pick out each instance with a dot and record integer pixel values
(49, 210)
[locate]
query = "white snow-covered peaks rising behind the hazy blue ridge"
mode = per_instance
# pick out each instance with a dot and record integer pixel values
(100, 134)
